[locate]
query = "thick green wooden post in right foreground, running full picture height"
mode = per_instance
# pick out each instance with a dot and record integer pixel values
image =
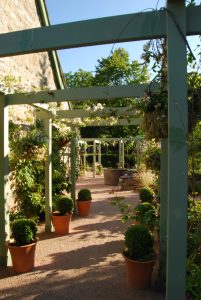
(177, 150)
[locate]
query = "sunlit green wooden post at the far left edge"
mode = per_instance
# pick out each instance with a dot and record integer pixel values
(4, 188)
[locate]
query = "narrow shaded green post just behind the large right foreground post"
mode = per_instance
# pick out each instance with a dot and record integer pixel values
(163, 211)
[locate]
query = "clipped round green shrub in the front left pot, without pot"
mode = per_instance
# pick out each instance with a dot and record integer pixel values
(23, 231)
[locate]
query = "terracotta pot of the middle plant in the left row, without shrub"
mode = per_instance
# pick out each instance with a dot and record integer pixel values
(61, 224)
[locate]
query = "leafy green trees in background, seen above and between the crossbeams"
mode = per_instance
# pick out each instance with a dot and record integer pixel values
(116, 69)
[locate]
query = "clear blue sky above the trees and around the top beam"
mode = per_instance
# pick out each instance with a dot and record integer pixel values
(64, 11)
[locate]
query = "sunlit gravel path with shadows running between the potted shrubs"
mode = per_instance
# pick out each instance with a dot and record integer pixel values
(86, 264)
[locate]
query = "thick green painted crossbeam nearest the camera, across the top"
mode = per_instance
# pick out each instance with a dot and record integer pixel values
(116, 29)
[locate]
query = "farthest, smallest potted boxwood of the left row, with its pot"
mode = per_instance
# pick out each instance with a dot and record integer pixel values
(84, 202)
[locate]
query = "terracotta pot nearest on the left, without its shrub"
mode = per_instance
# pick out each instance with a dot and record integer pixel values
(23, 257)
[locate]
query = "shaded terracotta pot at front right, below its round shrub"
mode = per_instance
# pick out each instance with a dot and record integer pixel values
(139, 274)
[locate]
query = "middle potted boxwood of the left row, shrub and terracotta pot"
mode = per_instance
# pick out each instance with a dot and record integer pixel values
(62, 216)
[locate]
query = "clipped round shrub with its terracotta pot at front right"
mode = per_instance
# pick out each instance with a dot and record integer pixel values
(139, 256)
